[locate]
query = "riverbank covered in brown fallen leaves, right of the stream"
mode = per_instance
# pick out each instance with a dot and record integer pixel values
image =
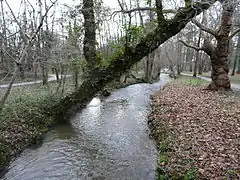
(197, 131)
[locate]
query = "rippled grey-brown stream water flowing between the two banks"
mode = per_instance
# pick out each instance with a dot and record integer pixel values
(107, 140)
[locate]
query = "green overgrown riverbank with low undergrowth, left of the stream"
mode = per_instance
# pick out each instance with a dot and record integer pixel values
(28, 114)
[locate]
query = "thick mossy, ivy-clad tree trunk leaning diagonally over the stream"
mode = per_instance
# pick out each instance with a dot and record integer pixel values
(98, 77)
